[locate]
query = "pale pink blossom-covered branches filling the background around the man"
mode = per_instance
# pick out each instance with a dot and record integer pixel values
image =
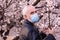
(11, 19)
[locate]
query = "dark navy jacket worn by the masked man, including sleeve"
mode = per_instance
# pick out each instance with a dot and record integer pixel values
(30, 32)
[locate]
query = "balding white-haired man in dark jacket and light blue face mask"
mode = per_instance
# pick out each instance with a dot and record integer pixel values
(29, 31)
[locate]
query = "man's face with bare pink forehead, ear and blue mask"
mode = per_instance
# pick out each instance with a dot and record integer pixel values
(31, 14)
